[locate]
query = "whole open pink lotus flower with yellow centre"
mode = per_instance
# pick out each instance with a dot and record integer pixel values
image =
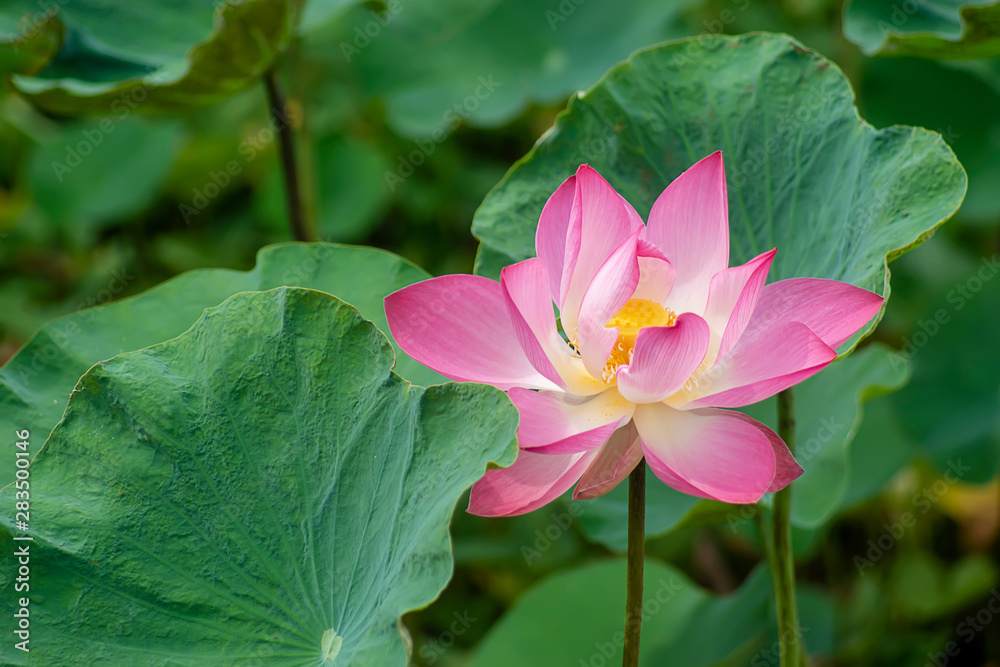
(657, 335)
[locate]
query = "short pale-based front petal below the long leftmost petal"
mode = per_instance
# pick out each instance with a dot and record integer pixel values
(549, 417)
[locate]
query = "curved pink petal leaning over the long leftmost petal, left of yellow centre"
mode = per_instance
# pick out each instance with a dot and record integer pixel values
(525, 287)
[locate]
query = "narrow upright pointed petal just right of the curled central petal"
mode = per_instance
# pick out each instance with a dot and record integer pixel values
(732, 296)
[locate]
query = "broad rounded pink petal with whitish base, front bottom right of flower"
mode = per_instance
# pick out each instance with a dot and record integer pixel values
(721, 456)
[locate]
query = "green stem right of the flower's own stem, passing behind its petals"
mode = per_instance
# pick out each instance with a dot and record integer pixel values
(782, 561)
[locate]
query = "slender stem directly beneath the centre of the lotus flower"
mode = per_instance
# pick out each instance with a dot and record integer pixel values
(636, 554)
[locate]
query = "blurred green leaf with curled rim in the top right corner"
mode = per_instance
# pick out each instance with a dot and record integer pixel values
(947, 29)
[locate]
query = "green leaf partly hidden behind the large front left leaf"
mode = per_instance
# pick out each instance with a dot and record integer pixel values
(36, 383)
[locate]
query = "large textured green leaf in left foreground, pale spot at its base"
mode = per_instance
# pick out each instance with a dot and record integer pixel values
(262, 486)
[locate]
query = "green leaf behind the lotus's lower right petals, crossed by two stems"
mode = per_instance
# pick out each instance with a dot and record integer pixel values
(828, 414)
